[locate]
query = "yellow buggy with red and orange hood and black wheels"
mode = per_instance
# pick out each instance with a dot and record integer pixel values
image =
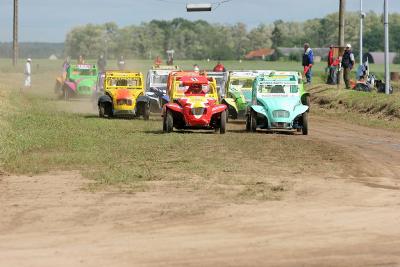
(123, 95)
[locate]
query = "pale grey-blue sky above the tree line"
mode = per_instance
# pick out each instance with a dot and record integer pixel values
(50, 20)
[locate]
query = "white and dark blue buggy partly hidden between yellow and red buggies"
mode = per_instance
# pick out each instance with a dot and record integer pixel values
(156, 86)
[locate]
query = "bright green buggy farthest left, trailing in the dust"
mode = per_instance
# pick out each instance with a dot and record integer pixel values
(79, 81)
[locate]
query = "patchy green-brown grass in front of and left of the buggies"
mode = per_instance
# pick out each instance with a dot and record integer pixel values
(43, 134)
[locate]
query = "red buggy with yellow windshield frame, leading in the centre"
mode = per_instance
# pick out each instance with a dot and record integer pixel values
(193, 104)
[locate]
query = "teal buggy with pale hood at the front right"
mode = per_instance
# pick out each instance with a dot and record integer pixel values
(277, 103)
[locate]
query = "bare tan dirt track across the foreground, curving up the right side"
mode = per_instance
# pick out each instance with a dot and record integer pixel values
(49, 220)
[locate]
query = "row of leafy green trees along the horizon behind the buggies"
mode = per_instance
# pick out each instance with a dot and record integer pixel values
(200, 39)
